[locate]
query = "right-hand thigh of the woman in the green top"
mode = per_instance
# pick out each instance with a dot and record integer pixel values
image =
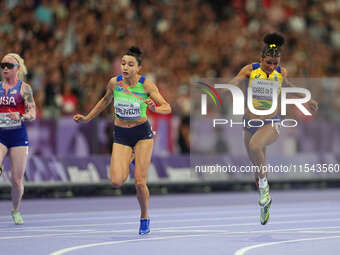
(143, 152)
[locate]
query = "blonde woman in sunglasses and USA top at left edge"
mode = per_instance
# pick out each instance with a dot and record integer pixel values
(16, 106)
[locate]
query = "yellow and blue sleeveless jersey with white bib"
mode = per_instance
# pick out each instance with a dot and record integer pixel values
(262, 86)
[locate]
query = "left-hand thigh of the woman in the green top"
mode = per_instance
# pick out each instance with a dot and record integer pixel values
(120, 160)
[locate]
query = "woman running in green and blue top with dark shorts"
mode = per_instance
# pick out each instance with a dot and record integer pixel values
(132, 94)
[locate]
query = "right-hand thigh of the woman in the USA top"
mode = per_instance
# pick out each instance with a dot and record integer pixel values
(18, 157)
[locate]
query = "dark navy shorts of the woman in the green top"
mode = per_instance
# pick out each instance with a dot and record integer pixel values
(130, 136)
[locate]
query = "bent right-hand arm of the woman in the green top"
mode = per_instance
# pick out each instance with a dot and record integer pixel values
(152, 90)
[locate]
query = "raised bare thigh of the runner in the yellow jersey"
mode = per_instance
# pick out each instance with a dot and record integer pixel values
(265, 135)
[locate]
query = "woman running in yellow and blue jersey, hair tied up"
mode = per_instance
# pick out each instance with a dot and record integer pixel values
(257, 138)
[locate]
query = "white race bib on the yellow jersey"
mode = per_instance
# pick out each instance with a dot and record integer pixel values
(263, 89)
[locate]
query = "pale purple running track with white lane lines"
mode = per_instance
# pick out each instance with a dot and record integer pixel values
(301, 222)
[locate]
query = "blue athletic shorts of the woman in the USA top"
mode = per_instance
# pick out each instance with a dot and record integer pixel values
(14, 137)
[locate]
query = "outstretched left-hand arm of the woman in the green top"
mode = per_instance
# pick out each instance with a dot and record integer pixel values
(100, 106)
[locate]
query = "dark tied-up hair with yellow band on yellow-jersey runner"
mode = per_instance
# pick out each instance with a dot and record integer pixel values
(273, 43)
